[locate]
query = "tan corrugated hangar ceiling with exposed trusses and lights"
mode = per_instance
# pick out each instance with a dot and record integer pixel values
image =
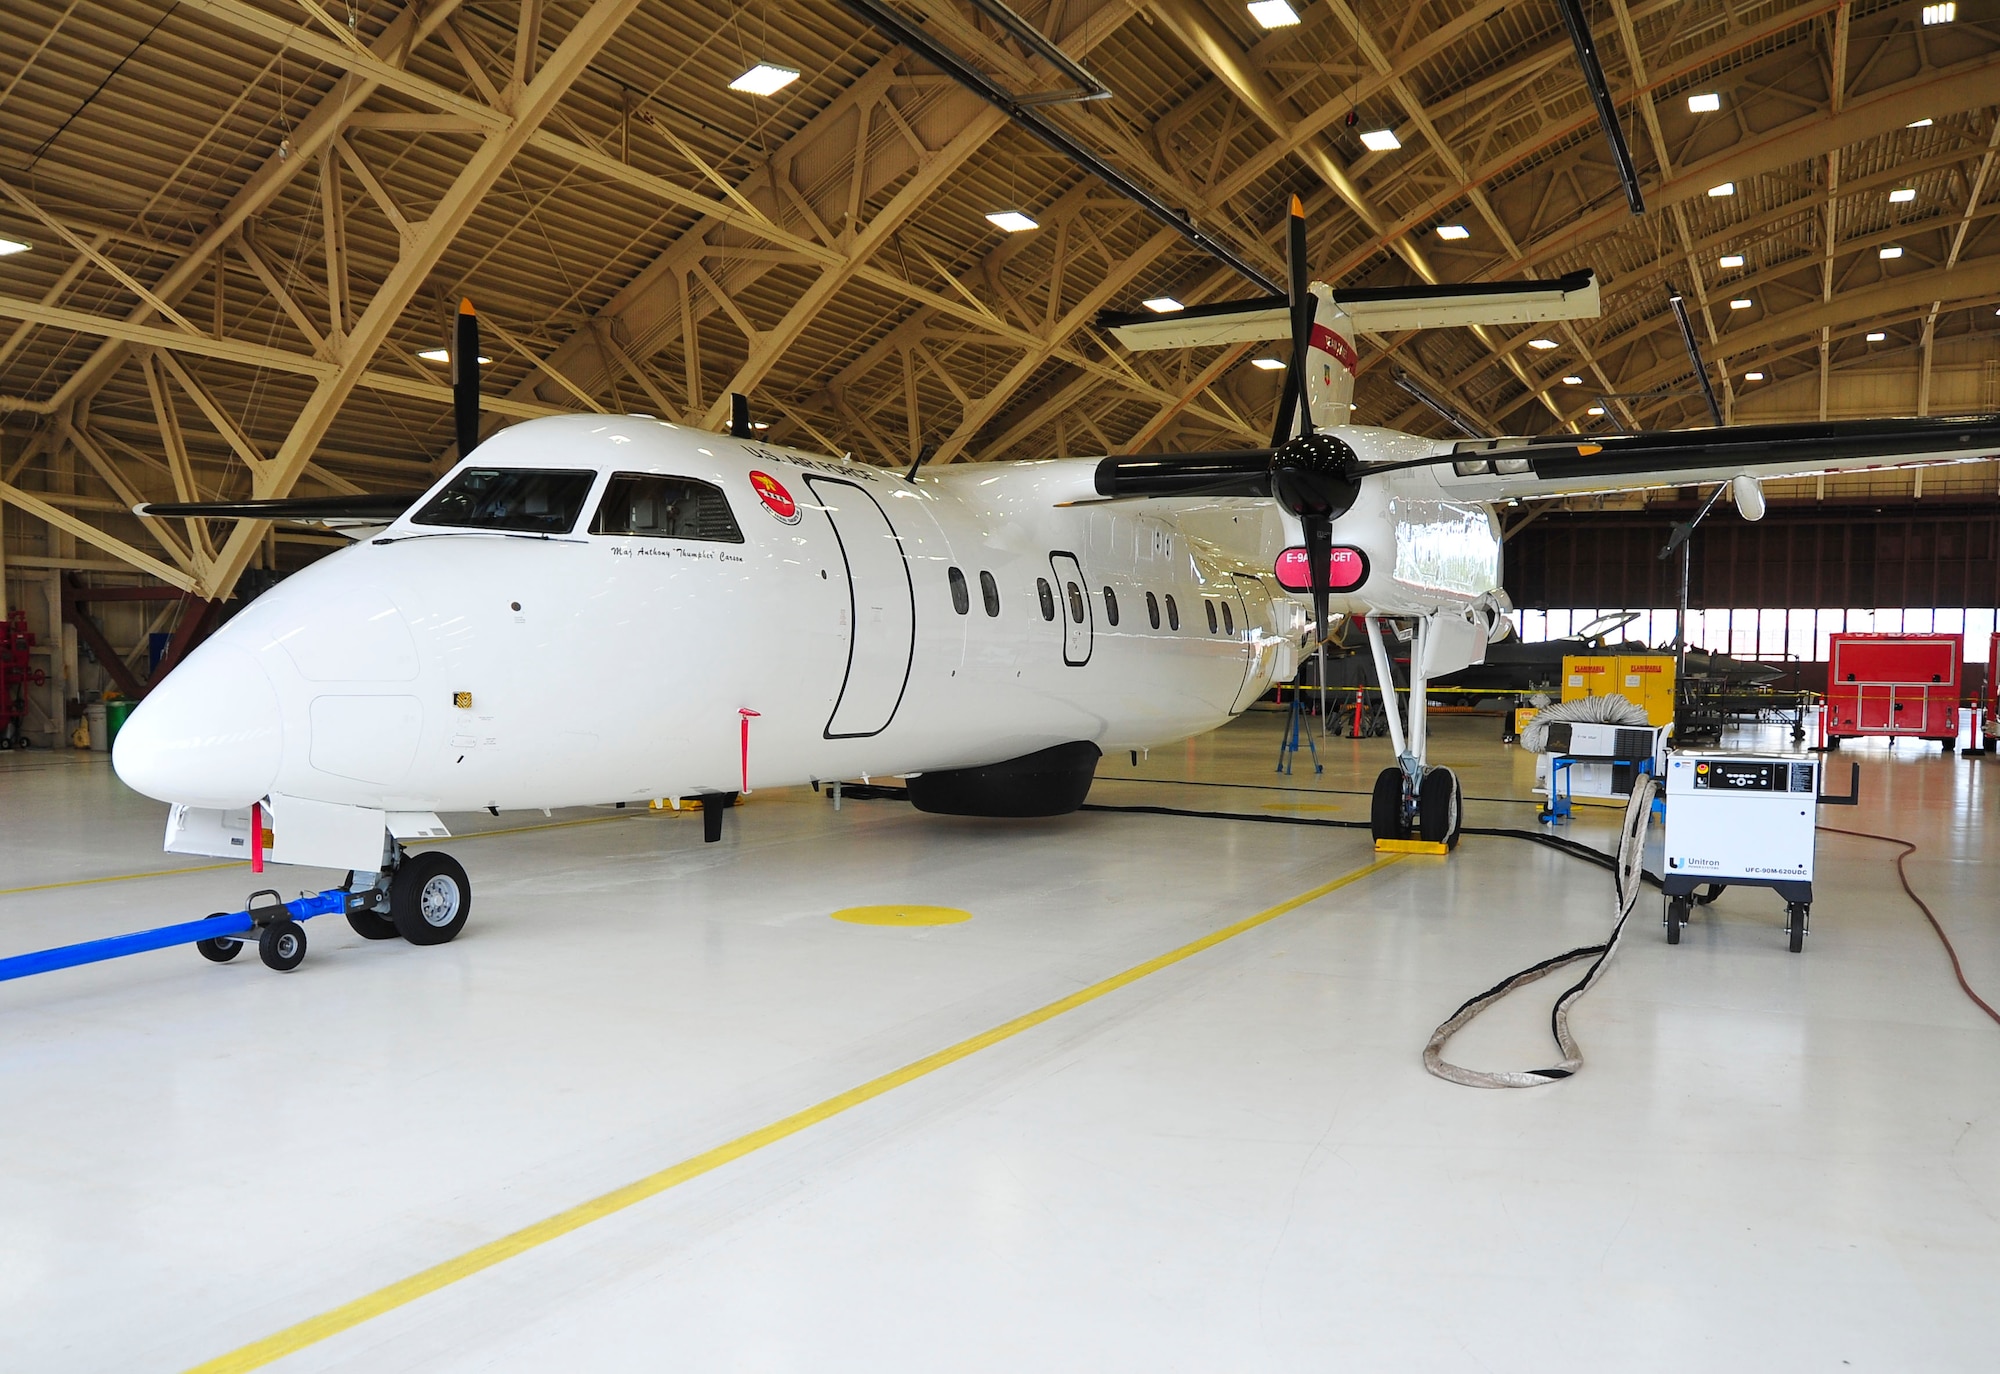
(249, 221)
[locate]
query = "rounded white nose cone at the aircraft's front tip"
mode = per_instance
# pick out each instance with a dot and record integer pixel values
(211, 735)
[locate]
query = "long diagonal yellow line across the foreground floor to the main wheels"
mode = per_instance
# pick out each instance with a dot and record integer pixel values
(317, 1329)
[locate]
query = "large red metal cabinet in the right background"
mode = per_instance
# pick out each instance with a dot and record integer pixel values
(1895, 685)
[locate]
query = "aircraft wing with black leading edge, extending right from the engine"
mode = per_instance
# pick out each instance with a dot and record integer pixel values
(1565, 465)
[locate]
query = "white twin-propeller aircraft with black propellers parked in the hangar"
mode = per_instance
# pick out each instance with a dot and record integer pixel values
(615, 609)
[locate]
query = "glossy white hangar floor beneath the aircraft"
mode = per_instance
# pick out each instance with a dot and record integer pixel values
(1229, 1163)
